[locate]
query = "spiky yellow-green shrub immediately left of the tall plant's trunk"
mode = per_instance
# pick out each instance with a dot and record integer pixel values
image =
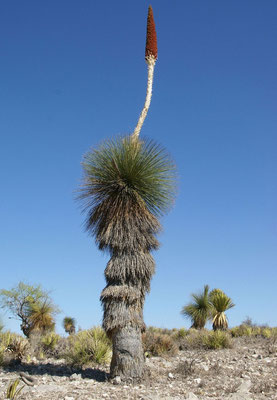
(91, 346)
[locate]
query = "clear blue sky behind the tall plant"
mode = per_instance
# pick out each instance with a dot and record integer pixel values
(72, 74)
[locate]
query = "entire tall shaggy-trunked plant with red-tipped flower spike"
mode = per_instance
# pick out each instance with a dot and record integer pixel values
(128, 184)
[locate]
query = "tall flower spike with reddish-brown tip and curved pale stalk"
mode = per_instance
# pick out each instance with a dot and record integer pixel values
(151, 54)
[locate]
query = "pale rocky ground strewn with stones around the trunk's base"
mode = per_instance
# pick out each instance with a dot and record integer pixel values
(247, 371)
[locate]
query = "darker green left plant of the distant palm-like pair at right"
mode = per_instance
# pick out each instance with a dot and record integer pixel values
(199, 310)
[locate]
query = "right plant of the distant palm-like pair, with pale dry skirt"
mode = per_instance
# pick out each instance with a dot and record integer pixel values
(220, 304)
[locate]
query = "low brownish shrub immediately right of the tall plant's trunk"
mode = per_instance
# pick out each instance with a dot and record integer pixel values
(158, 344)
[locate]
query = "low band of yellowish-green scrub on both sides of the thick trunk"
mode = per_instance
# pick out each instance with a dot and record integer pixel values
(93, 347)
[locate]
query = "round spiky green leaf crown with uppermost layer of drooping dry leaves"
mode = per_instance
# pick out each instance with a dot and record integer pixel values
(127, 185)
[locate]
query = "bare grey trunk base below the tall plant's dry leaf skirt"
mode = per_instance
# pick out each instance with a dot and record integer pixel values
(128, 356)
